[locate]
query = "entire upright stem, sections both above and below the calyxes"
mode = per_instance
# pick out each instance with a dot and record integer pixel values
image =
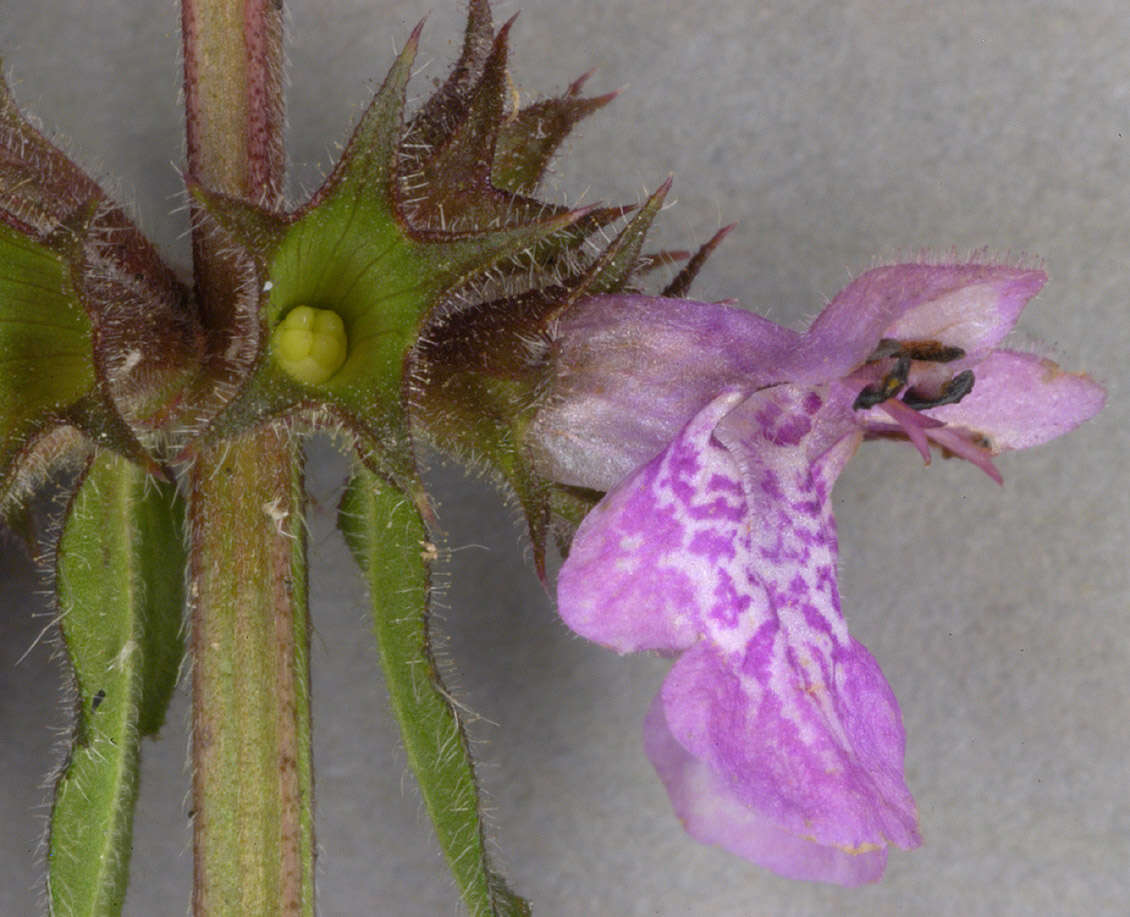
(253, 784)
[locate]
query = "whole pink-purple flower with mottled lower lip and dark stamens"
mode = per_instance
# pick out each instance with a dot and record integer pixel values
(719, 438)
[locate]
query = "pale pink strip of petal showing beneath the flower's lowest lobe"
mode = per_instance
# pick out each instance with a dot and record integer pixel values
(712, 814)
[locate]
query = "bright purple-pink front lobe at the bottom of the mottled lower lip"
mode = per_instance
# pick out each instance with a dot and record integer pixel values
(816, 752)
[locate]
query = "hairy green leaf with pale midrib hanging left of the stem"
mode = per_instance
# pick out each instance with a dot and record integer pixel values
(120, 574)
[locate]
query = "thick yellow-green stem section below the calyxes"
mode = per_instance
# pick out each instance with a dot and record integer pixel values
(253, 780)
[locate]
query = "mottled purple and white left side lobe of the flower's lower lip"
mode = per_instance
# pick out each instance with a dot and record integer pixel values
(655, 557)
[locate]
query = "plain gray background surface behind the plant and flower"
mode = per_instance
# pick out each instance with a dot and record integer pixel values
(836, 133)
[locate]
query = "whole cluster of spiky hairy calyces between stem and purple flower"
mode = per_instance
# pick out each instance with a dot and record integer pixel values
(446, 273)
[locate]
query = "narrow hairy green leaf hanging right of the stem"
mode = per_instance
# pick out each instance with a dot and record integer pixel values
(389, 540)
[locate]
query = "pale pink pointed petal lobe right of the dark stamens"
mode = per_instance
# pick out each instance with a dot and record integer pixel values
(1020, 400)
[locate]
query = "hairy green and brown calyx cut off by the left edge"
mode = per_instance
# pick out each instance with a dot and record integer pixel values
(97, 334)
